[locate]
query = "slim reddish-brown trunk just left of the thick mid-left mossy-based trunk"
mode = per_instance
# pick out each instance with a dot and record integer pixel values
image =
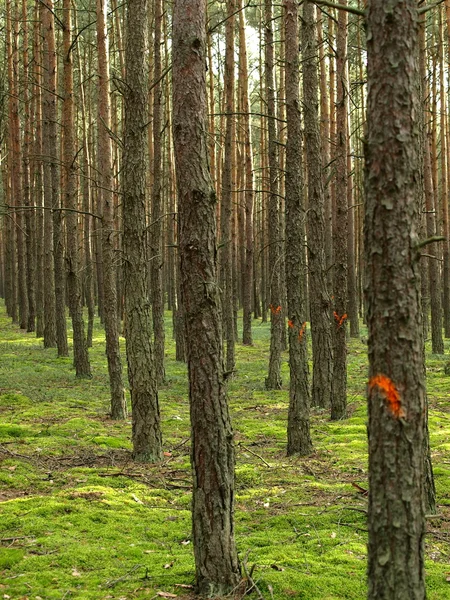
(118, 402)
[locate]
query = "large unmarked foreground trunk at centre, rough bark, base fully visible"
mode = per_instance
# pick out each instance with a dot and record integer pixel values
(212, 453)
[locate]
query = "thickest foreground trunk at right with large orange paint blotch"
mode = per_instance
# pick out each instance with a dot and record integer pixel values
(396, 394)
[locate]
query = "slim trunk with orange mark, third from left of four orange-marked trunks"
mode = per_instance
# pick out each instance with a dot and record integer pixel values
(340, 233)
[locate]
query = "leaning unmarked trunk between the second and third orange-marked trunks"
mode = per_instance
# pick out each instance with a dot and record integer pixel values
(319, 298)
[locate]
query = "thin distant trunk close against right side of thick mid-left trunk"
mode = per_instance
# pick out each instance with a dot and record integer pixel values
(156, 246)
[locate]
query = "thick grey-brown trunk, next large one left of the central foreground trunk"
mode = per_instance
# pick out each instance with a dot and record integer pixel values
(147, 443)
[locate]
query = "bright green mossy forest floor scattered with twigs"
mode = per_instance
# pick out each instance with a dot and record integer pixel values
(79, 520)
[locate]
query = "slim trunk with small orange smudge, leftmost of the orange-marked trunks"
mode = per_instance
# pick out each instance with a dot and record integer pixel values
(273, 380)
